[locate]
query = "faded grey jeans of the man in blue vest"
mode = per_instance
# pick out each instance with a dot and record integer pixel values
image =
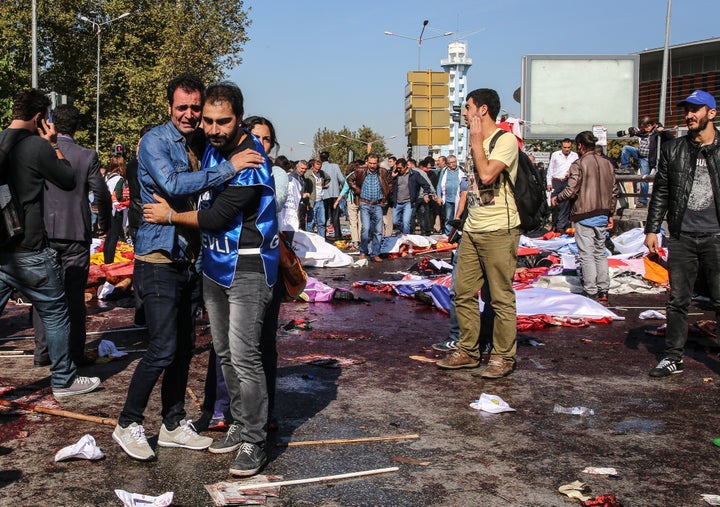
(236, 320)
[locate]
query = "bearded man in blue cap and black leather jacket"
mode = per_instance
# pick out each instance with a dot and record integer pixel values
(687, 189)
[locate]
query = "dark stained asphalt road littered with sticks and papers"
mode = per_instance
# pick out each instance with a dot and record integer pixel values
(657, 433)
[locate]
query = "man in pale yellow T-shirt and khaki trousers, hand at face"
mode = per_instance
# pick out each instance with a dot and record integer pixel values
(488, 250)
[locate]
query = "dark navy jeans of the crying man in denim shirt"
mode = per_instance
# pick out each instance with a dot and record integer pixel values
(169, 293)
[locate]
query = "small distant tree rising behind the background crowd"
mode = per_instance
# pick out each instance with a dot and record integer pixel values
(346, 145)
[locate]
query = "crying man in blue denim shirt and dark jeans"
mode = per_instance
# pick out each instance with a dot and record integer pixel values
(165, 277)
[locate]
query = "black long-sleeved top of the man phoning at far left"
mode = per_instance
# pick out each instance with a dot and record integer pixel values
(31, 162)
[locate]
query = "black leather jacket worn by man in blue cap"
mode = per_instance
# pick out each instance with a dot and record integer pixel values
(674, 180)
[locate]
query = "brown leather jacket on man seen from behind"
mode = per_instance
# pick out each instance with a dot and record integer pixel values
(591, 187)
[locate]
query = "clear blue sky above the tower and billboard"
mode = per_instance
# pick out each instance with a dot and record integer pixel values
(327, 63)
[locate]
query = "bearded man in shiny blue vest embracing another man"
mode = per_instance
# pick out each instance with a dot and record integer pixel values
(240, 263)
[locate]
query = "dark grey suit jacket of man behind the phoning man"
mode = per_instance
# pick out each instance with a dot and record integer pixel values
(67, 212)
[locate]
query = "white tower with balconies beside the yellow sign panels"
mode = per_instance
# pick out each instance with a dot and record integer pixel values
(456, 65)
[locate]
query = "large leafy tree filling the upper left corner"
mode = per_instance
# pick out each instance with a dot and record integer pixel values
(139, 55)
